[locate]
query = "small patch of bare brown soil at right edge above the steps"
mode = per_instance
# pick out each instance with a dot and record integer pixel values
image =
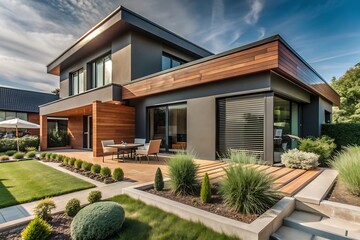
(340, 194)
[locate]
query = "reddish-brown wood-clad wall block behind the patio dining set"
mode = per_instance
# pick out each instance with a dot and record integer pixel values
(112, 122)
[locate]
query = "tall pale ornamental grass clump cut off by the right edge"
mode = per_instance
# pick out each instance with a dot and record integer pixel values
(347, 163)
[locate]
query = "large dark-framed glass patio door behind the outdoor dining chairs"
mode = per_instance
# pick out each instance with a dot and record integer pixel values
(169, 123)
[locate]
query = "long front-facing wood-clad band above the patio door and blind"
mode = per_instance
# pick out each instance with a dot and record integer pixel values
(257, 59)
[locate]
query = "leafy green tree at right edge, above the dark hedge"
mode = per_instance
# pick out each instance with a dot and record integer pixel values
(348, 87)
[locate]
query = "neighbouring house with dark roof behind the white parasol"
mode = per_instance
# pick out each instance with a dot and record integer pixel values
(23, 104)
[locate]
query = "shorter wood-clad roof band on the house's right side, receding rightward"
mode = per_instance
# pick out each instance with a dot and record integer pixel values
(291, 66)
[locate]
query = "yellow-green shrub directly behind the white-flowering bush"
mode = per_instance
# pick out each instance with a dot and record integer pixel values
(324, 147)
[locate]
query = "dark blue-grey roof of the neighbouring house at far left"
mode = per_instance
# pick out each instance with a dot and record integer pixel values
(22, 100)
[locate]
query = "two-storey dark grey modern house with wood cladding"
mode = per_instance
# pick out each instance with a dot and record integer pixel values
(128, 77)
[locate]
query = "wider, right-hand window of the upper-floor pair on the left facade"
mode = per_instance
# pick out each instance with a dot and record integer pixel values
(101, 72)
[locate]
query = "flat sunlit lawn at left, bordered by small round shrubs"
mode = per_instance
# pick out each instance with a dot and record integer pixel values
(27, 181)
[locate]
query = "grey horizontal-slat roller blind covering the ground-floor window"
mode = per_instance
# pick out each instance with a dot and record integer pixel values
(240, 124)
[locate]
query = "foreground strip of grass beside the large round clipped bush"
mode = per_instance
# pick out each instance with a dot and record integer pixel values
(147, 222)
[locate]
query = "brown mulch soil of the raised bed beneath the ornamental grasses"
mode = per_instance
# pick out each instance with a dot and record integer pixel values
(216, 206)
